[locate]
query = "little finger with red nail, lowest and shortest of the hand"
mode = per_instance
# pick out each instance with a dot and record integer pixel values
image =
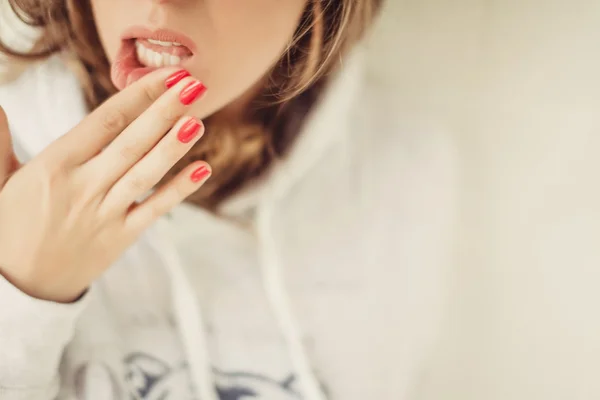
(167, 197)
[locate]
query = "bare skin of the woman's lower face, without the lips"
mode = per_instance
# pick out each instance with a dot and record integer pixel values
(238, 41)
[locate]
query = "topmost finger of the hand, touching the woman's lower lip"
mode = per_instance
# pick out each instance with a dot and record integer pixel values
(110, 119)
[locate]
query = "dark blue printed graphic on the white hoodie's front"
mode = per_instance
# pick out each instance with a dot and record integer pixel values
(149, 378)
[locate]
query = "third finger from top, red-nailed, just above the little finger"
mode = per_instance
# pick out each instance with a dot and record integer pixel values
(144, 175)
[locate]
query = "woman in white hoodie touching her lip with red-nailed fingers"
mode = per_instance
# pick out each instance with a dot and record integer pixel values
(301, 262)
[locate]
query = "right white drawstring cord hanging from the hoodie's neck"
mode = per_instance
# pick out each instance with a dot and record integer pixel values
(280, 304)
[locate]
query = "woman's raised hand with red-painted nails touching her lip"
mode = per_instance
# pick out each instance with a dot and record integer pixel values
(69, 214)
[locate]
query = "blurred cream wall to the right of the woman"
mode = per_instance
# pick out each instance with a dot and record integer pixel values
(515, 84)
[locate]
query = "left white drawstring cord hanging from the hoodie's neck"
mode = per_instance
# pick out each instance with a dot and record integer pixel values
(189, 317)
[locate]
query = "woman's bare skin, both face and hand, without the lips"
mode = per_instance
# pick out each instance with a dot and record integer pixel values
(72, 211)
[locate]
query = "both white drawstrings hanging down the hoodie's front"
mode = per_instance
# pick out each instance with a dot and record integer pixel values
(191, 322)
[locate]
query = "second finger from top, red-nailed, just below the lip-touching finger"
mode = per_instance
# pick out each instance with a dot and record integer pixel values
(145, 132)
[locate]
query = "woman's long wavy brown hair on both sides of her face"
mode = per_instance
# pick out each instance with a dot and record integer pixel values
(327, 30)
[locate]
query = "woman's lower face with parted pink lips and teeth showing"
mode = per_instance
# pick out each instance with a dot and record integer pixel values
(227, 44)
